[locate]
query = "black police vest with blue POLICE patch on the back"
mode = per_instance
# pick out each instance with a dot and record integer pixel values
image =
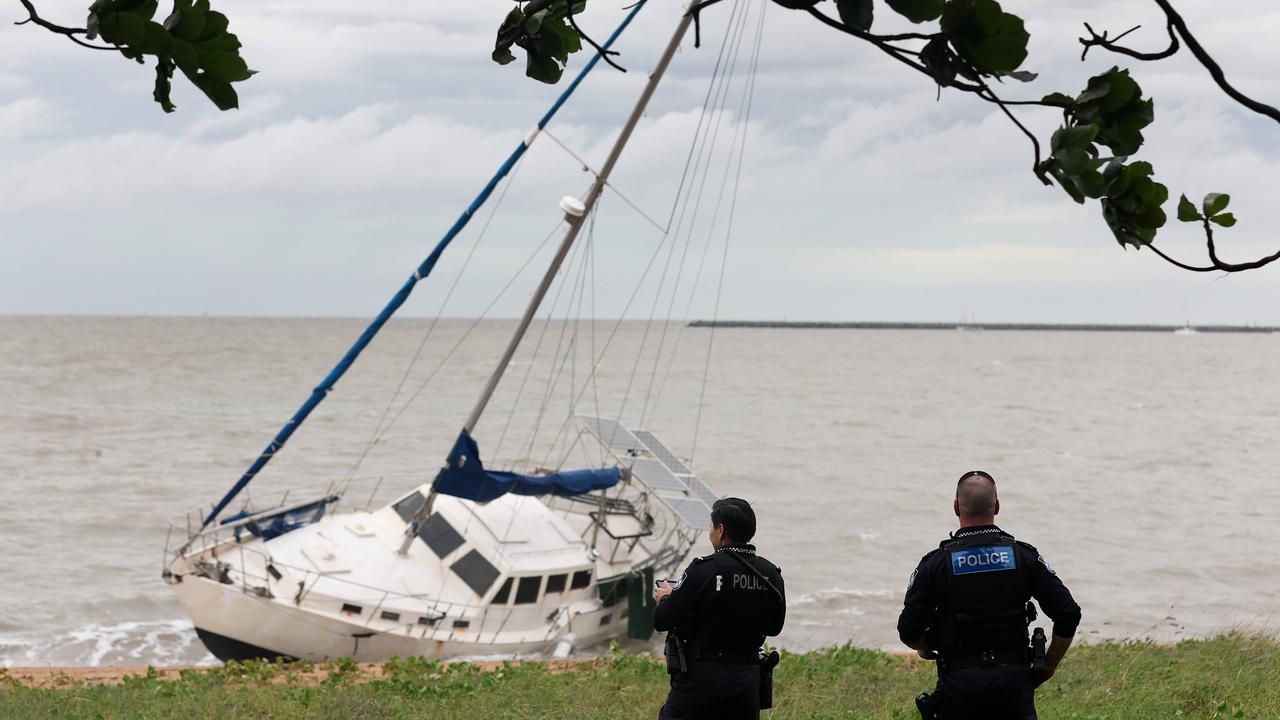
(985, 605)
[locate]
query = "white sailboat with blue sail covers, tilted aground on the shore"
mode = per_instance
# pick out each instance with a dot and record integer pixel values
(473, 563)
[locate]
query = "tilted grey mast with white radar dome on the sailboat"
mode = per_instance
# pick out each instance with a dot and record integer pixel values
(577, 218)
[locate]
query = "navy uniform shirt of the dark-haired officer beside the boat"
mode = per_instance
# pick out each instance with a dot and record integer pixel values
(719, 604)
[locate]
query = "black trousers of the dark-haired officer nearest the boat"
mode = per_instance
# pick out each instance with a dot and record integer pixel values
(715, 691)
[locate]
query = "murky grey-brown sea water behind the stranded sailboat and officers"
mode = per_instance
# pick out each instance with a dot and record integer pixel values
(1144, 467)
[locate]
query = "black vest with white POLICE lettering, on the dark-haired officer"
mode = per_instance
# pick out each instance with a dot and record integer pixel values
(740, 609)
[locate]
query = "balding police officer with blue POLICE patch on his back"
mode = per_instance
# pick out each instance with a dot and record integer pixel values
(968, 607)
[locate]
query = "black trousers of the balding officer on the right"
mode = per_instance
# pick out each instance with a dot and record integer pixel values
(996, 692)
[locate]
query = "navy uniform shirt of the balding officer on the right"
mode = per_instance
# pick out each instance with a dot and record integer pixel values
(970, 595)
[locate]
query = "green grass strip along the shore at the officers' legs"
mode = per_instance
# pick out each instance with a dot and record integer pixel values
(1231, 677)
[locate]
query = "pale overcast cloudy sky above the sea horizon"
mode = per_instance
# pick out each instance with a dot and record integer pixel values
(865, 194)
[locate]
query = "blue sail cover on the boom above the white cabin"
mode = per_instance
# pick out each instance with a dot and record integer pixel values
(465, 477)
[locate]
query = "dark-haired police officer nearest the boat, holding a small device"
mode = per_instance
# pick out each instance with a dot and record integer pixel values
(717, 617)
